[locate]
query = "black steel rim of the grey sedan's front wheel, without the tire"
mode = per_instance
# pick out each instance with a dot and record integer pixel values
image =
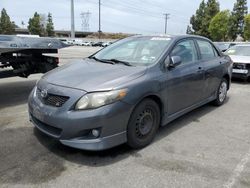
(144, 123)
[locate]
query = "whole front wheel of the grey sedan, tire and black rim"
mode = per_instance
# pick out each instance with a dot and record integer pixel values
(143, 124)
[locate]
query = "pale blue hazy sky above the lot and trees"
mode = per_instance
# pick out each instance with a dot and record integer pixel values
(129, 16)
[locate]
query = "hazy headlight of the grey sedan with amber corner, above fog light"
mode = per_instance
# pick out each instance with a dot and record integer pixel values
(98, 99)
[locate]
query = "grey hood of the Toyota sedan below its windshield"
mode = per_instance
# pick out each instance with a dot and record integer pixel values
(89, 75)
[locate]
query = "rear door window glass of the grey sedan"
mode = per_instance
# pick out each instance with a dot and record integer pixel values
(207, 50)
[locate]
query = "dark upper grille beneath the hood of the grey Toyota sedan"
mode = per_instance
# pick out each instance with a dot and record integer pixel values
(51, 99)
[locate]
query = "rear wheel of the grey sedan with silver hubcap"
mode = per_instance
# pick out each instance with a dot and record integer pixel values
(221, 93)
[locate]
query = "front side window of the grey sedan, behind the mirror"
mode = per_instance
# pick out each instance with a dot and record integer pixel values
(186, 51)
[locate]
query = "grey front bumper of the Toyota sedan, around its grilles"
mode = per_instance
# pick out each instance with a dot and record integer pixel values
(72, 128)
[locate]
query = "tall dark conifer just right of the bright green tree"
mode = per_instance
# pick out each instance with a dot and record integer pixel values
(237, 17)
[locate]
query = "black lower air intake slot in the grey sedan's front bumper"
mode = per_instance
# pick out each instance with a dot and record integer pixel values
(53, 131)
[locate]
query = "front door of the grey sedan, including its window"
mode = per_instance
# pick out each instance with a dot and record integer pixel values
(186, 81)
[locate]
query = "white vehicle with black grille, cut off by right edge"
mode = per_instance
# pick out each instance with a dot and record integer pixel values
(240, 55)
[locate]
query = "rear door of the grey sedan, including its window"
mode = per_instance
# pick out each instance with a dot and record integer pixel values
(212, 64)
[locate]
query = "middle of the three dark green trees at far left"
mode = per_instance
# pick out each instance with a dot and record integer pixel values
(35, 26)
